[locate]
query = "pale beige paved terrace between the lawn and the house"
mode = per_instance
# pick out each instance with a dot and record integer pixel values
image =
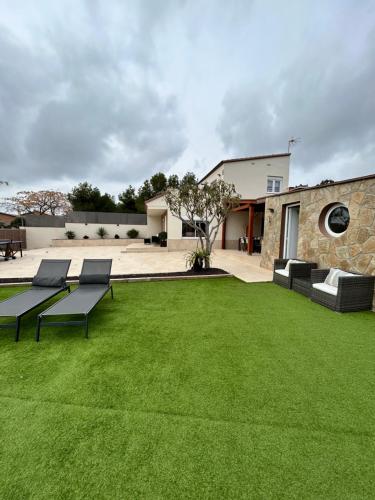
(239, 264)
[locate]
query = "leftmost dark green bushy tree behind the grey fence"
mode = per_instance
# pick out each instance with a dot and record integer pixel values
(87, 198)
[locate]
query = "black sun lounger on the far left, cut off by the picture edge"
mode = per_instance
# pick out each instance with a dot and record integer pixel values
(48, 282)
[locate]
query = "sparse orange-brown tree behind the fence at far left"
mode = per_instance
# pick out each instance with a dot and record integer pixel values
(40, 202)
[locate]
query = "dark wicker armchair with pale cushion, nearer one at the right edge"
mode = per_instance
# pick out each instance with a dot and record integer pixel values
(353, 293)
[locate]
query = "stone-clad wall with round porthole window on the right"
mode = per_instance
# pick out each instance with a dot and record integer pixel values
(354, 250)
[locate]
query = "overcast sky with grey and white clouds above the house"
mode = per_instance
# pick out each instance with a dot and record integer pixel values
(114, 91)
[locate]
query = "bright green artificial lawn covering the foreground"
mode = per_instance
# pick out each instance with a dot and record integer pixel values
(191, 389)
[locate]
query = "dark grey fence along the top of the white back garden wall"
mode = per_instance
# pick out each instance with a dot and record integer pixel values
(32, 220)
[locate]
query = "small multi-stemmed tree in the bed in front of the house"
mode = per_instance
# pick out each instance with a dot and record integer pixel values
(210, 203)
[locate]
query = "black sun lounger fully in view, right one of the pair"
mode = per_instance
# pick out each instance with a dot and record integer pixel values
(93, 285)
